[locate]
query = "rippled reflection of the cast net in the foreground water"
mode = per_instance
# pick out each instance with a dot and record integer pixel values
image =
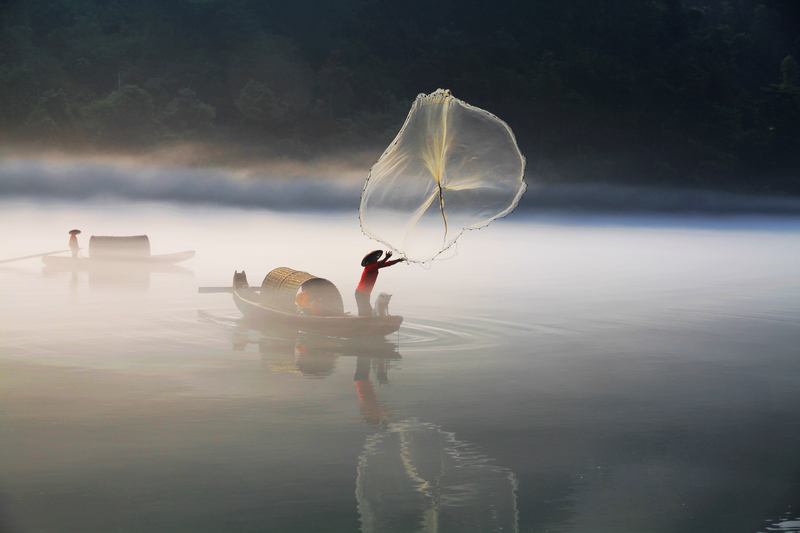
(414, 476)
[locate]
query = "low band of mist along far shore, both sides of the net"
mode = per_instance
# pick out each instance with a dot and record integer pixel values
(332, 186)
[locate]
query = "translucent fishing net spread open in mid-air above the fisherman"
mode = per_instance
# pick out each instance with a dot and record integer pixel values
(451, 168)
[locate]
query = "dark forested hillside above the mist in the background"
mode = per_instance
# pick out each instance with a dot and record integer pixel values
(694, 92)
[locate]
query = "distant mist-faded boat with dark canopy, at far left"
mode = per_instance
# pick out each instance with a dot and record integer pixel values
(117, 252)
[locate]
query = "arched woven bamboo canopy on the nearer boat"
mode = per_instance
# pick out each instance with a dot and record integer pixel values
(279, 290)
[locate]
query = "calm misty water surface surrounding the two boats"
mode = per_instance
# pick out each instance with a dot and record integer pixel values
(557, 374)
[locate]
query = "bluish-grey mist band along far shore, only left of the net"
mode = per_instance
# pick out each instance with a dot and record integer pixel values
(282, 185)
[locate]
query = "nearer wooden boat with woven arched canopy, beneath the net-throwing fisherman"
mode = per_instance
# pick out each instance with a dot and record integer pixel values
(275, 304)
